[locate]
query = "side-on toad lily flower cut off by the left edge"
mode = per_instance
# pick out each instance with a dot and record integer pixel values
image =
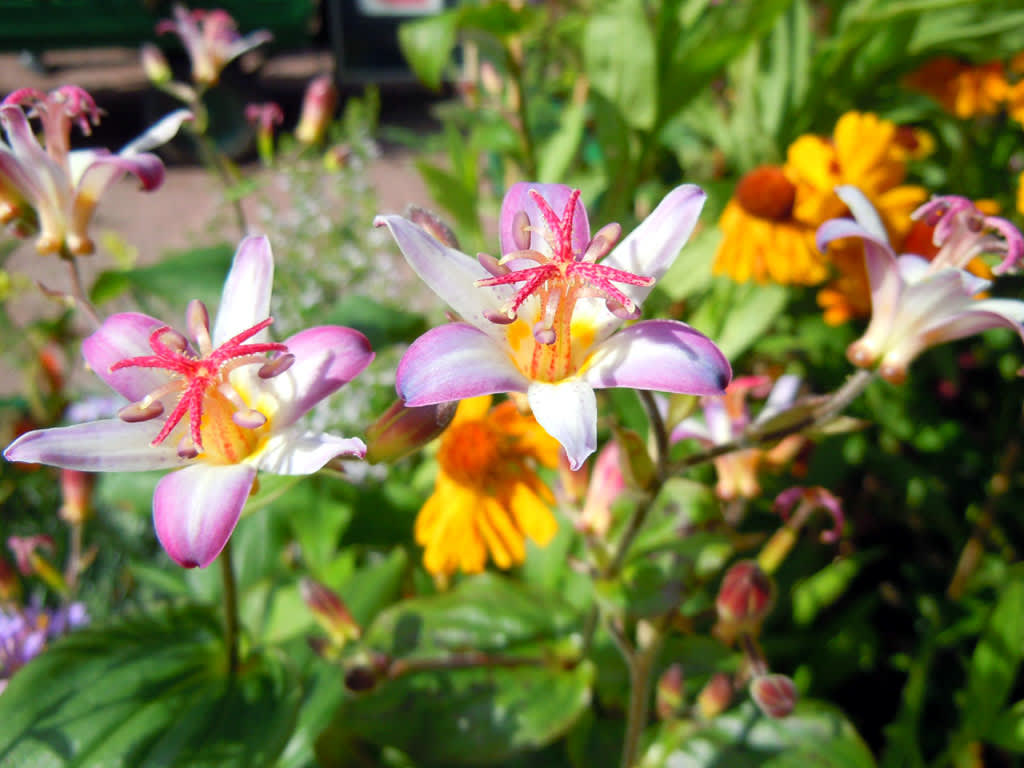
(56, 190)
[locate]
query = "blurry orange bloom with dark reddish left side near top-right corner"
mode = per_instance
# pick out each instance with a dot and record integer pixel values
(963, 90)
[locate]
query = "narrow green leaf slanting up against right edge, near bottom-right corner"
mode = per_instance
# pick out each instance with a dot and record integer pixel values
(994, 667)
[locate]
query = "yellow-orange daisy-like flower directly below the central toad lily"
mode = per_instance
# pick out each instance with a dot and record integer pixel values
(488, 497)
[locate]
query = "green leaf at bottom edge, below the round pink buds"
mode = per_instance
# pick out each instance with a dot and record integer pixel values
(816, 736)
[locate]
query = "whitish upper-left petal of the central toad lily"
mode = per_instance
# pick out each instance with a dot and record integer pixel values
(450, 274)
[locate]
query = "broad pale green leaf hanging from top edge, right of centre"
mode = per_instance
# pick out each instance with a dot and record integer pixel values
(620, 60)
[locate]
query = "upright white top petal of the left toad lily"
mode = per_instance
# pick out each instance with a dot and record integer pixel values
(246, 300)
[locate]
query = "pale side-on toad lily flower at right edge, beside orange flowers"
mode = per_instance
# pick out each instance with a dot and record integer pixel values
(917, 304)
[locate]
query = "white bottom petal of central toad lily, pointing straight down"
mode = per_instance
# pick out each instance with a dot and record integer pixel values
(568, 411)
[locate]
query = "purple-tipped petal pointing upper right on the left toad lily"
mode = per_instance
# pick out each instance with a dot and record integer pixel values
(326, 359)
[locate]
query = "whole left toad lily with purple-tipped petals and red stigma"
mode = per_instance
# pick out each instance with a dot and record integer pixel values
(243, 396)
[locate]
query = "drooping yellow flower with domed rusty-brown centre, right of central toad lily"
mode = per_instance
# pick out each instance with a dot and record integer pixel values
(762, 240)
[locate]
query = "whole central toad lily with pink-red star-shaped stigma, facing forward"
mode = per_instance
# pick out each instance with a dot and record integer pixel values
(542, 319)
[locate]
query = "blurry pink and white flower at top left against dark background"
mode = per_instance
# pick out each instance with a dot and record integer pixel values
(211, 39)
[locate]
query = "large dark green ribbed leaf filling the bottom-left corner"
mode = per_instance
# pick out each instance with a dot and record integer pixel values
(147, 692)
